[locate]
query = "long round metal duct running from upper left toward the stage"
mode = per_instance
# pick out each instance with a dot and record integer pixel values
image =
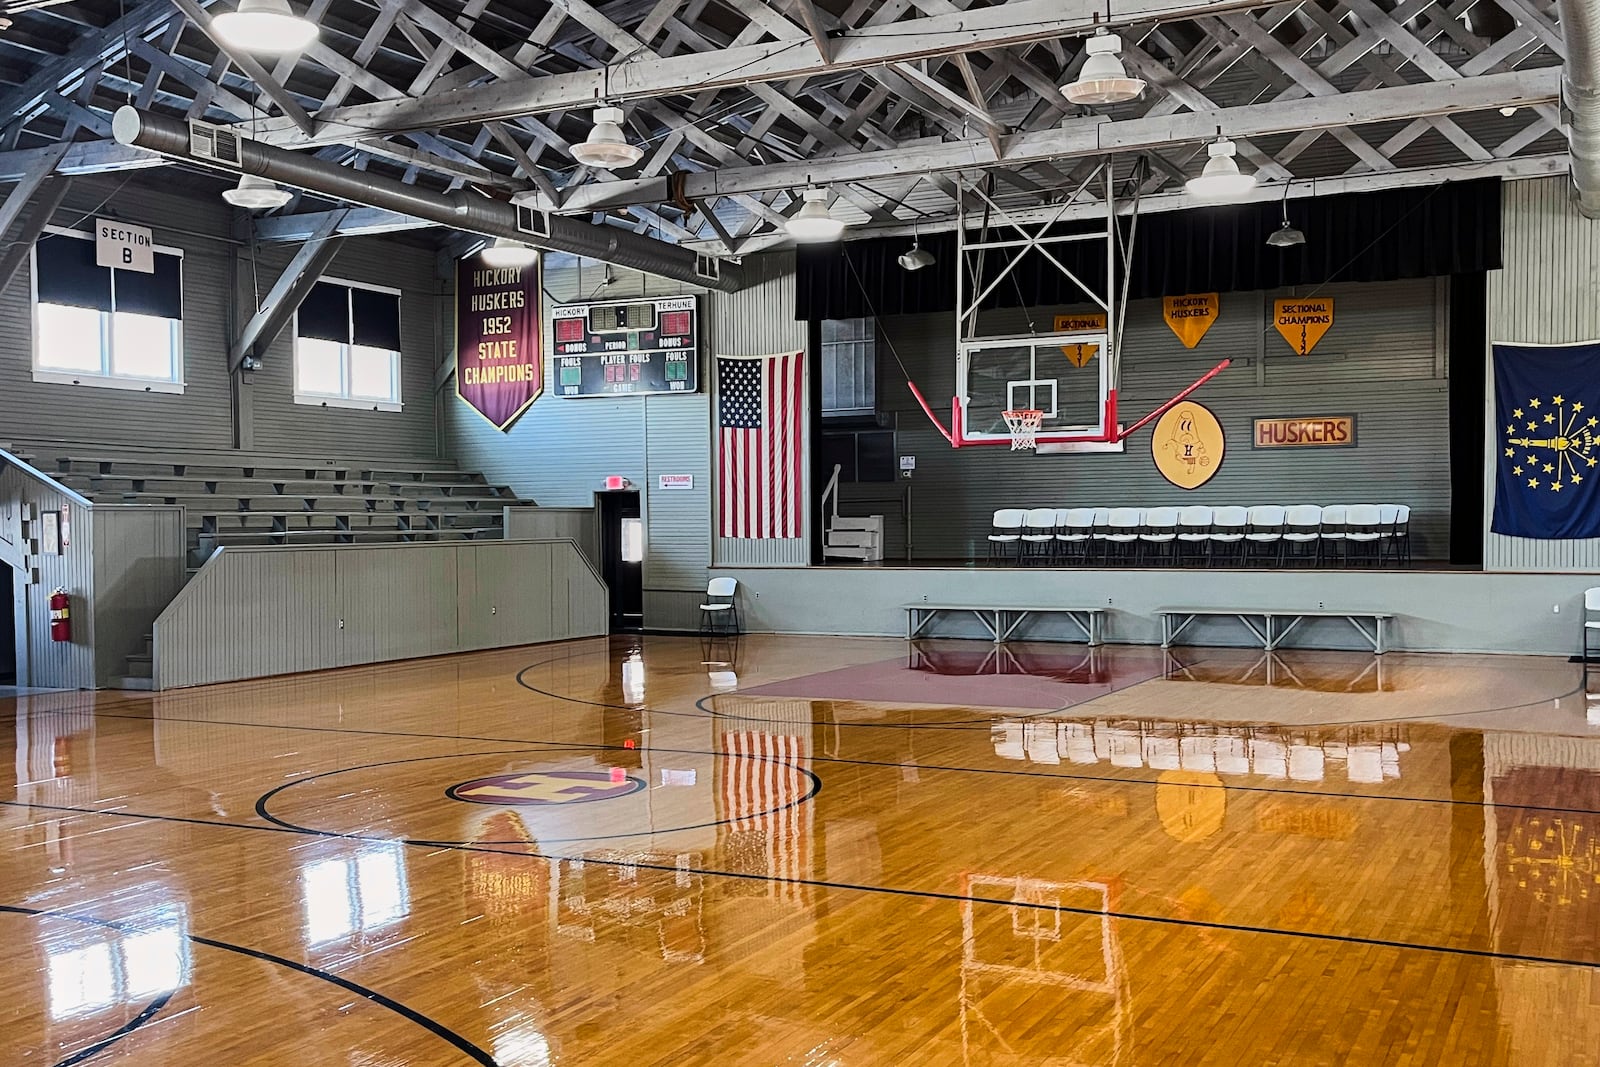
(460, 210)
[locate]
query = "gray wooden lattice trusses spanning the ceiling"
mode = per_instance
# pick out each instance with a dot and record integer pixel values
(742, 103)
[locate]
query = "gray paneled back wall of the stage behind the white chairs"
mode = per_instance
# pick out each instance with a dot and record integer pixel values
(1383, 362)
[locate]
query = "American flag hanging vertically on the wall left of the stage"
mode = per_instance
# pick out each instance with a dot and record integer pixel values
(759, 446)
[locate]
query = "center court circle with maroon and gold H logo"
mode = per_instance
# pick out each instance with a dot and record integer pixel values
(423, 799)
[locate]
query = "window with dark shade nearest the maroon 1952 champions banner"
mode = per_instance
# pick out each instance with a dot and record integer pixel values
(348, 346)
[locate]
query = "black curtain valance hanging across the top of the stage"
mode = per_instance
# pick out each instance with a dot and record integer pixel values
(1354, 238)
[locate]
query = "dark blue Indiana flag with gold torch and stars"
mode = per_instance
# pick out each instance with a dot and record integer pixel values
(1548, 441)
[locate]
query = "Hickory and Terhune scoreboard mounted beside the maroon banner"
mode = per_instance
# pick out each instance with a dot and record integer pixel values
(626, 348)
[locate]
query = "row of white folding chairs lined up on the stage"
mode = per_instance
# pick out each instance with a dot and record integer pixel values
(1268, 535)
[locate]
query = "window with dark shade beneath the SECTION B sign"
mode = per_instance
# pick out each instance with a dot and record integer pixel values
(103, 326)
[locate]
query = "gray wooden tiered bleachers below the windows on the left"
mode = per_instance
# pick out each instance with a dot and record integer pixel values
(286, 500)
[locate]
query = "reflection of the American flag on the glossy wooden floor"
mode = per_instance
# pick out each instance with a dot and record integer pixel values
(769, 826)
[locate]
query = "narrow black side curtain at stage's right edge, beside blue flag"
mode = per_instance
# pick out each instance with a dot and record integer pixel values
(1468, 399)
